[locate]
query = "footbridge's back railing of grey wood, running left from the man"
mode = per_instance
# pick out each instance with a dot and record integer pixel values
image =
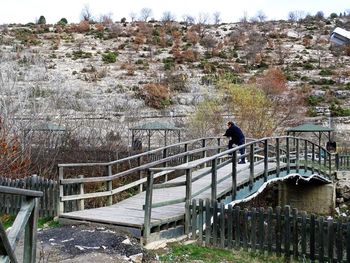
(131, 169)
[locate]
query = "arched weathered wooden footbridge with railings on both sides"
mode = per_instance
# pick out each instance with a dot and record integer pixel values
(146, 193)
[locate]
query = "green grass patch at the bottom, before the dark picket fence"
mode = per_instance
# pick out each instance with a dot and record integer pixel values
(187, 253)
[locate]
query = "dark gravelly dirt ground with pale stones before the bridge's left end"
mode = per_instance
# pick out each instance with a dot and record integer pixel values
(85, 244)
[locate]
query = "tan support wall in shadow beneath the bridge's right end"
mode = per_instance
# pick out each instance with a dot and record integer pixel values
(311, 197)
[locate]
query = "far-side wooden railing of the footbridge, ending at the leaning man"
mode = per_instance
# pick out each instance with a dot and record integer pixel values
(196, 148)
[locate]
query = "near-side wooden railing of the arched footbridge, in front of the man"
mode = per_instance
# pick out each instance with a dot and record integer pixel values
(285, 152)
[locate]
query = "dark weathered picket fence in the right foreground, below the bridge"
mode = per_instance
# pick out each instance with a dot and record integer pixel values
(284, 232)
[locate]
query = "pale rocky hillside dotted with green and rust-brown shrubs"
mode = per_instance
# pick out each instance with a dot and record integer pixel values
(107, 77)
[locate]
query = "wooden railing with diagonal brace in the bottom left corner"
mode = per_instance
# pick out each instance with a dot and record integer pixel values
(26, 220)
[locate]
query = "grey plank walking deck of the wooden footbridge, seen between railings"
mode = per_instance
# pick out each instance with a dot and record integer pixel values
(130, 213)
